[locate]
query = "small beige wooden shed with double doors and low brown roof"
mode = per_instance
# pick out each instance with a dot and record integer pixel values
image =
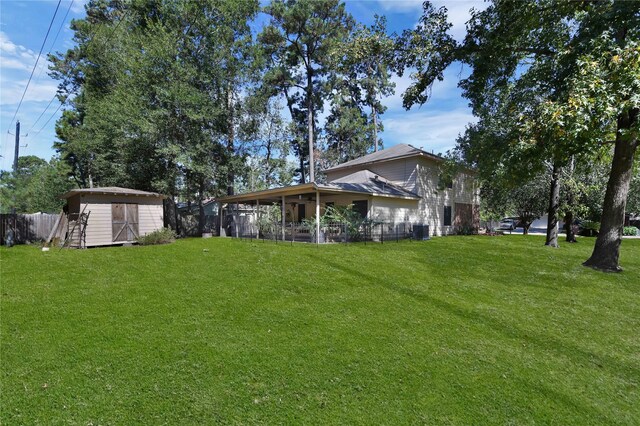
(111, 215)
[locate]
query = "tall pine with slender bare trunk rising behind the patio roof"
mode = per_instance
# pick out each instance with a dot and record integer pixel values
(298, 41)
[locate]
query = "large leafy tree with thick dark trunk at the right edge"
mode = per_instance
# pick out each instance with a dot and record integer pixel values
(562, 75)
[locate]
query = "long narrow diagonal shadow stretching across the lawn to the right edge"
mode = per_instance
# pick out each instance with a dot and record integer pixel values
(575, 353)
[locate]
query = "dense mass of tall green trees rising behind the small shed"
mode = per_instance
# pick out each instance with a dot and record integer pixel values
(153, 90)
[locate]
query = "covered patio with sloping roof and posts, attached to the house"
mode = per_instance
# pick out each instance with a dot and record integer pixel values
(298, 209)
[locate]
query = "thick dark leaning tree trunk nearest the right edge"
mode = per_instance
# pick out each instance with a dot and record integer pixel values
(607, 249)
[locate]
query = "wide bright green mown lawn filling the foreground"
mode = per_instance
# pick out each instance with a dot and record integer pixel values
(456, 330)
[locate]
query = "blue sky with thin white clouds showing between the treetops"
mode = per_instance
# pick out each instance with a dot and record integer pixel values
(23, 25)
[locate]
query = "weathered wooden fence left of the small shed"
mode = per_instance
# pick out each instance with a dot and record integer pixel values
(27, 227)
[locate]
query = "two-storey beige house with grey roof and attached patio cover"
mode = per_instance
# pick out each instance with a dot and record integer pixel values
(398, 186)
